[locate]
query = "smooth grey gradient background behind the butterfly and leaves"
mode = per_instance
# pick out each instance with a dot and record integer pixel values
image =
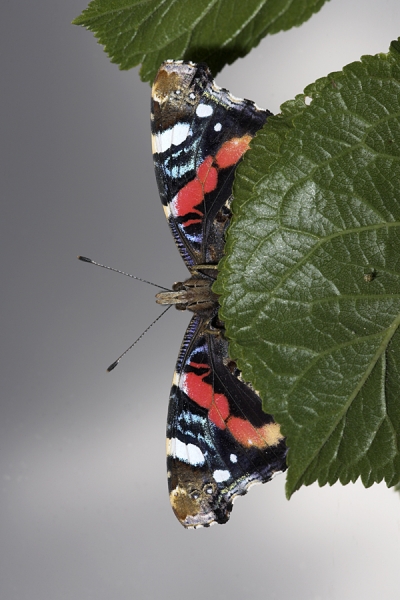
(84, 511)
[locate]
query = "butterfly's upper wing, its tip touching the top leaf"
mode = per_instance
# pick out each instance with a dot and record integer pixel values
(199, 133)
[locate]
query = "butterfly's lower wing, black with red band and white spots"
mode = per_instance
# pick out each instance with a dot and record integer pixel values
(219, 441)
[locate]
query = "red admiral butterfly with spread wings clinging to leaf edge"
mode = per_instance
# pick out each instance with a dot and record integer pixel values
(219, 441)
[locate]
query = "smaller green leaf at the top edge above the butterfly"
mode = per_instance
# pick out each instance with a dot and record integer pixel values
(214, 31)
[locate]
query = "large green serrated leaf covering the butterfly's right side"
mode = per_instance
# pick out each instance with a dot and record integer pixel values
(311, 279)
